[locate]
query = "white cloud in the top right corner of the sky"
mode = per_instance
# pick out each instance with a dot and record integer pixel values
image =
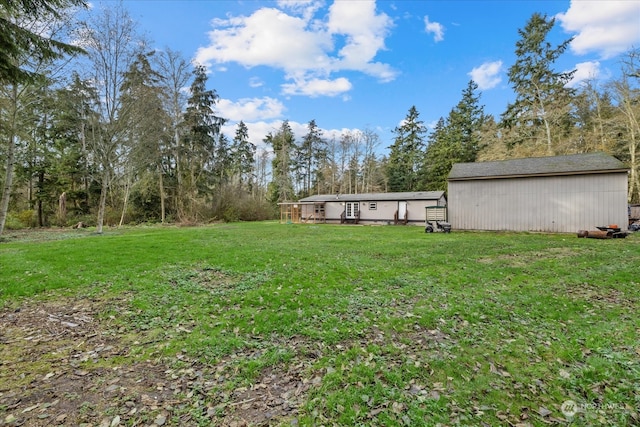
(607, 27)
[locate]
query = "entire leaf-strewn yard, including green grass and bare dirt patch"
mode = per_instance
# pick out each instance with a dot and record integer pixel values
(272, 324)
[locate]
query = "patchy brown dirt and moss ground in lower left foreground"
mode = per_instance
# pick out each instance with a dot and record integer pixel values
(63, 363)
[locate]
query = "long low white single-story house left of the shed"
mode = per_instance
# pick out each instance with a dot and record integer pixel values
(366, 208)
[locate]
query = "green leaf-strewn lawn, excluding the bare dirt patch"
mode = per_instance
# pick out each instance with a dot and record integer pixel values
(393, 326)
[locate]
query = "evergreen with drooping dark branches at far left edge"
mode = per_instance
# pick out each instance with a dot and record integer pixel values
(29, 46)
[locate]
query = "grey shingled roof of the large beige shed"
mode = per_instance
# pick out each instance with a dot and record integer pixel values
(575, 164)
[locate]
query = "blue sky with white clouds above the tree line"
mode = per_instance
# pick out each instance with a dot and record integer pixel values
(358, 64)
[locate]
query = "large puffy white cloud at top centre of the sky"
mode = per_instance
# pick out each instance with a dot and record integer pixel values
(347, 39)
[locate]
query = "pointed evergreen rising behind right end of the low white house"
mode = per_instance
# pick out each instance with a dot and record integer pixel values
(406, 153)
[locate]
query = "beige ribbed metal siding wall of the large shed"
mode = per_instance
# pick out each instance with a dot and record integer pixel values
(552, 204)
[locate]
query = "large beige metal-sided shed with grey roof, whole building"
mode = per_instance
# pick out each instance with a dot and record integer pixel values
(550, 194)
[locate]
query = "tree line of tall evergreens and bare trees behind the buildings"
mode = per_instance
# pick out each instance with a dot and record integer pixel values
(117, 140)
